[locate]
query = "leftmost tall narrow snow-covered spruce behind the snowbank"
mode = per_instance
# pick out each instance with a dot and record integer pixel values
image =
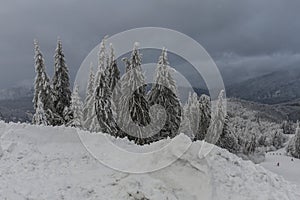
(42, 86)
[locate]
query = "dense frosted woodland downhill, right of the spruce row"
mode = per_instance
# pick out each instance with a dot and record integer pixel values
(255, 136)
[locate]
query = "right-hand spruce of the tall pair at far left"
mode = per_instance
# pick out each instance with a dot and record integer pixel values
(61, 86)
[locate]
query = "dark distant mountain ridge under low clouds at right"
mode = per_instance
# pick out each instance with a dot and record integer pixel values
(276, 87)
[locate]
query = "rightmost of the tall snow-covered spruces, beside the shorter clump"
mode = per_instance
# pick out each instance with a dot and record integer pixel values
(164, 93)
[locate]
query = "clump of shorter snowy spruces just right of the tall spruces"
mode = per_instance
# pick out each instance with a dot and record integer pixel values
(198, 122)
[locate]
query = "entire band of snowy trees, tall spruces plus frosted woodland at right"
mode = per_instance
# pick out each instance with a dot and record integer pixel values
(111, 99)
